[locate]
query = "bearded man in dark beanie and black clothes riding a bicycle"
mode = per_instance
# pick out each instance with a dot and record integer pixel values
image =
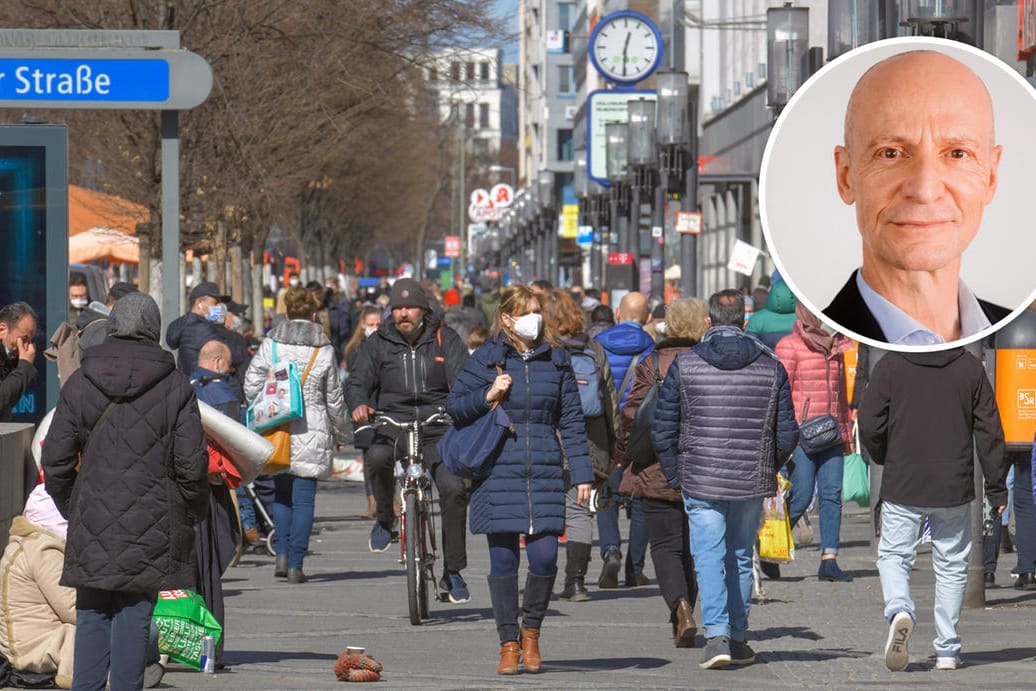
(406, 370)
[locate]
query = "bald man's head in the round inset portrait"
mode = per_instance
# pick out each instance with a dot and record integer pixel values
(919, 162)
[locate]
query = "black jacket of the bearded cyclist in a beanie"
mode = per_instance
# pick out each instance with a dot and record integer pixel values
(406, 382)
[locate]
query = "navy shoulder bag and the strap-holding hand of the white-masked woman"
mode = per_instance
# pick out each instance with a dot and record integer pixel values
(471, 450)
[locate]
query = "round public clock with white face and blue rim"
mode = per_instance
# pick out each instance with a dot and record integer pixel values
(626, 47)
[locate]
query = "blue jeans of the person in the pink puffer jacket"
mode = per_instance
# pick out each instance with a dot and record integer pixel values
(824, 471)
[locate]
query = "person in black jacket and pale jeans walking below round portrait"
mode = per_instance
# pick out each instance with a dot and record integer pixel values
(931, 474)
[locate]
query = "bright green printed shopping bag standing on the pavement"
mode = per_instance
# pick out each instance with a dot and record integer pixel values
(184, 621)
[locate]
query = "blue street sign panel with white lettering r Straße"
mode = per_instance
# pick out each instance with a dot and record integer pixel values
(70, 80)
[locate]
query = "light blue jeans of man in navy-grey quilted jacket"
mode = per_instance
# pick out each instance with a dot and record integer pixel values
(723, 543)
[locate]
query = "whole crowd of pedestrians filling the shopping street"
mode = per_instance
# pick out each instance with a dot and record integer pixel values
(134, 504)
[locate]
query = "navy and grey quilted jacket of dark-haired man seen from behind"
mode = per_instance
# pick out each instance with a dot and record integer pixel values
(725, 423)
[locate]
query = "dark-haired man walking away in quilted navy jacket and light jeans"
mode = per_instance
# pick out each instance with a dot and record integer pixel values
(725, 471)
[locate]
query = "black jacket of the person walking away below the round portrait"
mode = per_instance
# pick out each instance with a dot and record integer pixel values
(923, 417)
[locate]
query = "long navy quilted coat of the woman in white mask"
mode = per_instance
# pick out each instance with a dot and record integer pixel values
(526, 491)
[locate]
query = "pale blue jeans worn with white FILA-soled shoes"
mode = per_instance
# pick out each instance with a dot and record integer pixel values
(951, 546)
